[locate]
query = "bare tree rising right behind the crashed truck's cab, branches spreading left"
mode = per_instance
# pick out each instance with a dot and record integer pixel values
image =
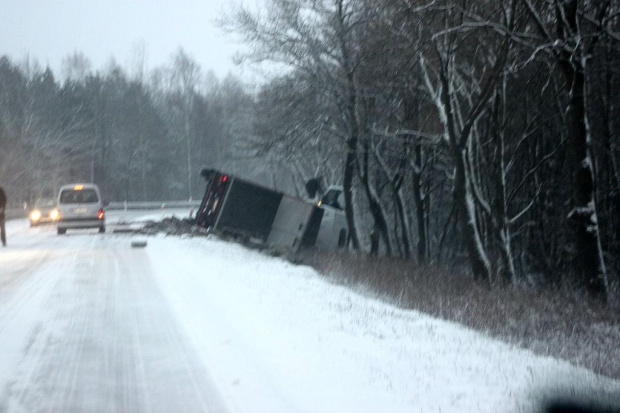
(318, 38)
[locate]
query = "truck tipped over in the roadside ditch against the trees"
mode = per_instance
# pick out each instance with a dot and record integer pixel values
(243, 209)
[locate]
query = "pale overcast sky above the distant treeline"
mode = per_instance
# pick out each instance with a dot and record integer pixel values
(49, 30)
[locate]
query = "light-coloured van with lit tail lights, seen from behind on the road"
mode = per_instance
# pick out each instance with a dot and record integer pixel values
(80, 206)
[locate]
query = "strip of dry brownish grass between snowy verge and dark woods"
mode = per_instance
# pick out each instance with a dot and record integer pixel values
(546, 322)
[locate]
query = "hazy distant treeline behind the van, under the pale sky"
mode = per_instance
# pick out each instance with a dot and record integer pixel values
(139, 136)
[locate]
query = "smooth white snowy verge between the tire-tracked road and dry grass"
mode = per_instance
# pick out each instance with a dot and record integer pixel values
(278, 338)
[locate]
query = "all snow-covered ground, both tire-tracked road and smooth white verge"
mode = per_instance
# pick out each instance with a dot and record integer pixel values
(194, 324)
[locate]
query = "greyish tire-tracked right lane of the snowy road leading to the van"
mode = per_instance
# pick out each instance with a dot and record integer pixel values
(107, 341)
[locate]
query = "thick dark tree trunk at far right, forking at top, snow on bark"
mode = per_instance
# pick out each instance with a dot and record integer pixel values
(568, 30)
